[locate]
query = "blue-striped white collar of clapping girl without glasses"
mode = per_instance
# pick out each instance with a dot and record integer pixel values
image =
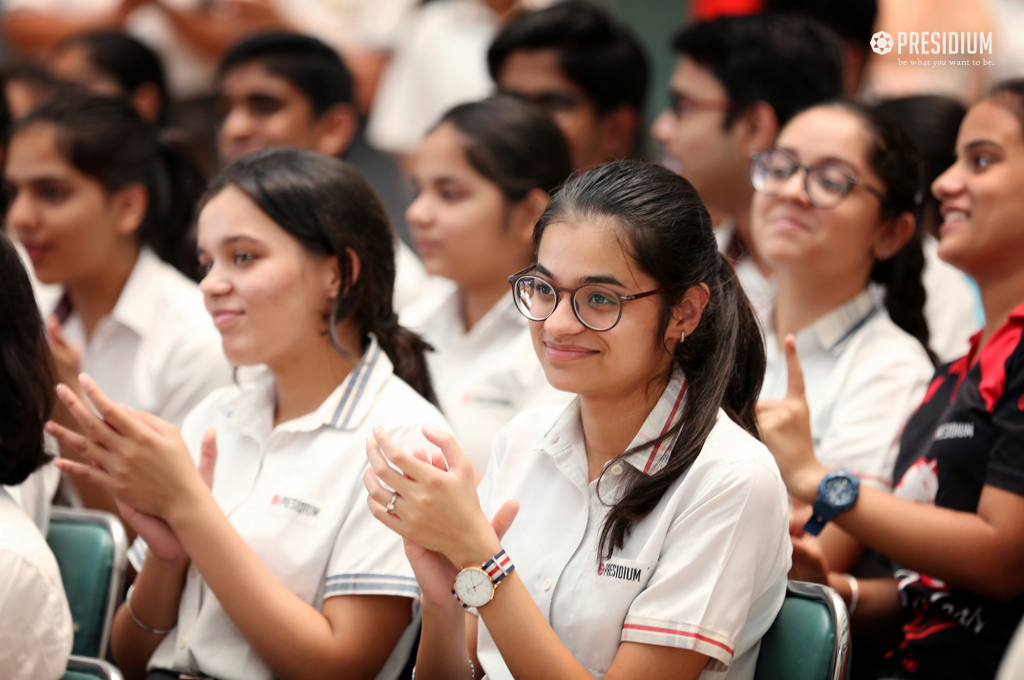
(346, 409)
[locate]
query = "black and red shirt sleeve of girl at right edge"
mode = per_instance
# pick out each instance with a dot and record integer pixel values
(1006, 465)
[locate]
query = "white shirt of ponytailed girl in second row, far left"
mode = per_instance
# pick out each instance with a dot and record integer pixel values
(158, 350)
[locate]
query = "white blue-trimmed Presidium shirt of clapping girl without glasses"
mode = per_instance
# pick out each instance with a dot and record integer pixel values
(295, 494)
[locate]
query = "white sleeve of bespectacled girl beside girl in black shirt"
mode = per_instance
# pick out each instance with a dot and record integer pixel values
(870, 414)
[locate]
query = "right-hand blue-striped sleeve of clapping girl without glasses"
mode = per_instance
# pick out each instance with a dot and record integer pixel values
(369, 559)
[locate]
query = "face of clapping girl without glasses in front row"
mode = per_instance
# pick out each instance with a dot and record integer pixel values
(268, 295)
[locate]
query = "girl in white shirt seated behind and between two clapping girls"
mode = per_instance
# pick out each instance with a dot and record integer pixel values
(483, 178)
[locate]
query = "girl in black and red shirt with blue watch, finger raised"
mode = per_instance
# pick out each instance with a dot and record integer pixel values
(953, 524)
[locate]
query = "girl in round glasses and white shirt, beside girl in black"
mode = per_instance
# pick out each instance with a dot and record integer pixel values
(835, 212)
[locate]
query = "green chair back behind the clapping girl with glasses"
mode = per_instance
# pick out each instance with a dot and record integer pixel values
(810, 639)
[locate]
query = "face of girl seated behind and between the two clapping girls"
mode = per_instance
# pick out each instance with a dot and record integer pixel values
(464, 228)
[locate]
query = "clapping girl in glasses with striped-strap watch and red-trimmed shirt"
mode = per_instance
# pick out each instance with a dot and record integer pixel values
(652, 536)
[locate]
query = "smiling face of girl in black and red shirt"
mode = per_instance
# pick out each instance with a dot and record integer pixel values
(983, 195)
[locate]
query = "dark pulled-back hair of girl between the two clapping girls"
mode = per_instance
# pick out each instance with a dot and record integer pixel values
(514, 144)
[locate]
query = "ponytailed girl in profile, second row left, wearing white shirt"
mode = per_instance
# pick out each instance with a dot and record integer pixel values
(97, 198)
